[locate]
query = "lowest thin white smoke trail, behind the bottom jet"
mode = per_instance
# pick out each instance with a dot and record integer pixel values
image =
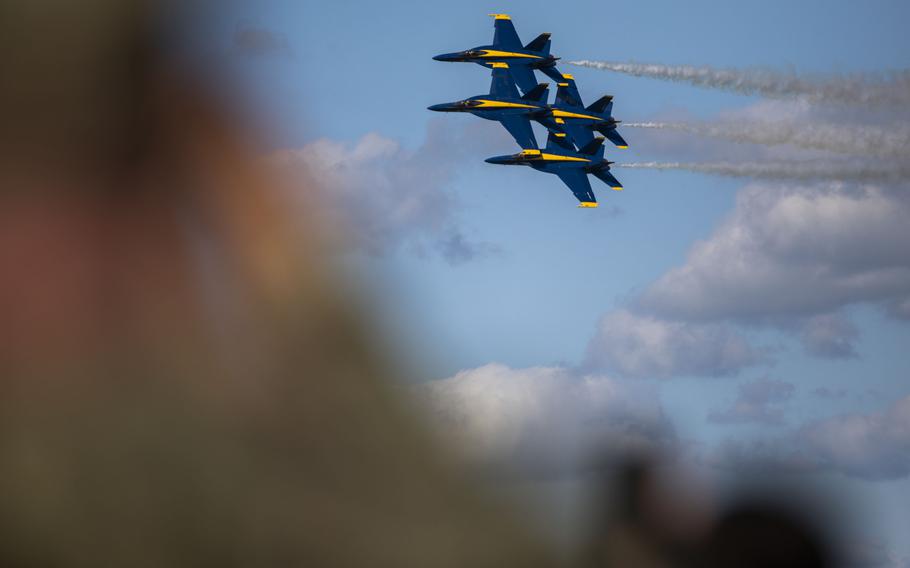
(803, 171)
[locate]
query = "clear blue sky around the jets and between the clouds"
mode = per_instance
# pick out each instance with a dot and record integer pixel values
(544, 276)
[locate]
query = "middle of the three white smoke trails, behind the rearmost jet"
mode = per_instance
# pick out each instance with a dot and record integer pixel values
(852, 140)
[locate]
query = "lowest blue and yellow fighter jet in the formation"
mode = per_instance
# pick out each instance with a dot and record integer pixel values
(572, 166)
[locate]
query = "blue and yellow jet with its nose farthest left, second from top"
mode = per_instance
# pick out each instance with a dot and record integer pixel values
(505, 105)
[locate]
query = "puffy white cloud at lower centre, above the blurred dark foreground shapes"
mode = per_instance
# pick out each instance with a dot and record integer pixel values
(543, 420)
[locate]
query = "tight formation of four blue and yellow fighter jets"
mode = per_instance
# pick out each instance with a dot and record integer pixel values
(573, 149)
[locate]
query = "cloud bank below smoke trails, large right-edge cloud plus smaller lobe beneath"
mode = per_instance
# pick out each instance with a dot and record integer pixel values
(792, 257)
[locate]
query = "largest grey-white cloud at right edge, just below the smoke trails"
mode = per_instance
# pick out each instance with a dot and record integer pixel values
(792, 251)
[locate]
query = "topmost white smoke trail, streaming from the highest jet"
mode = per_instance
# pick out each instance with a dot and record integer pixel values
(869, 89)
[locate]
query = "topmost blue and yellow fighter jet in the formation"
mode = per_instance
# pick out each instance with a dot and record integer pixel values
(507, 48)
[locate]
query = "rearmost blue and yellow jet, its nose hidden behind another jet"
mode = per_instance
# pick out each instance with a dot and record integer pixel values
(570, 115)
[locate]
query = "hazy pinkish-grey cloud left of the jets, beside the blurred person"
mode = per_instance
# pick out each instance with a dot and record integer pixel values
(378, 196)
